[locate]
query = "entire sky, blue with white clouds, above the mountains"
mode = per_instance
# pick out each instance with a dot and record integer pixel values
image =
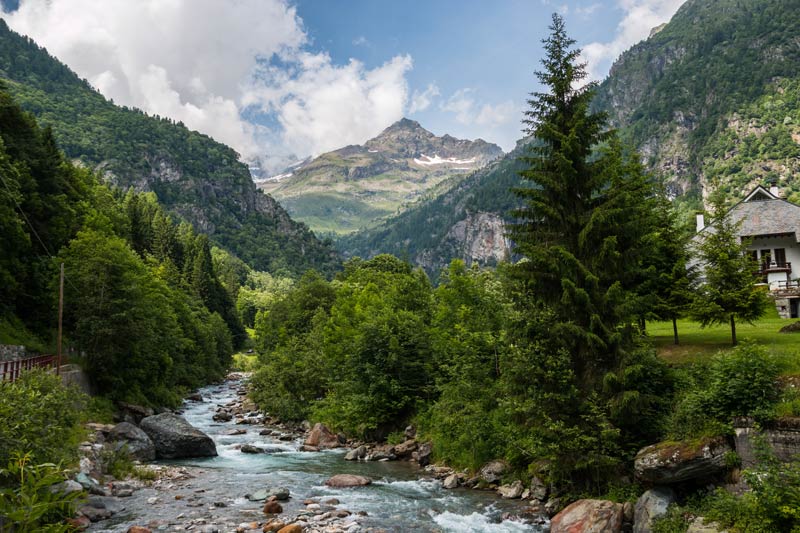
(286, 79)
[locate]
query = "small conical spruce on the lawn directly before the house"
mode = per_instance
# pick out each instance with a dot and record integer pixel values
(728, 283)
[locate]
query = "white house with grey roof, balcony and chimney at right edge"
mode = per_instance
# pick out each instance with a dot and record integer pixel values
(771, 225)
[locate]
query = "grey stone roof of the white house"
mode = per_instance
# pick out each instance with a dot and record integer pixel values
(767, 217)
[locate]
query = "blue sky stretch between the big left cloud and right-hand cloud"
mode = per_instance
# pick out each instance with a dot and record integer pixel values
(488, 51)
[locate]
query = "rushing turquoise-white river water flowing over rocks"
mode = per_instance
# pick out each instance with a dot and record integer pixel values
(399, 499)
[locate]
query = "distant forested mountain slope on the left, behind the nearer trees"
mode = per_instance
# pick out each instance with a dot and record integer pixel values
(193, 176)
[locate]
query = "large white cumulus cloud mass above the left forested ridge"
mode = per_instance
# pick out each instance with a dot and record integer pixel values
(204, 62)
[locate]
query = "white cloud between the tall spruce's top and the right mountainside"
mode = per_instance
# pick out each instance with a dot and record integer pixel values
(640, 17)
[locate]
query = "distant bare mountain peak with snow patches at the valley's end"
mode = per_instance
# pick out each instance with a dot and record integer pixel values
(358, 186)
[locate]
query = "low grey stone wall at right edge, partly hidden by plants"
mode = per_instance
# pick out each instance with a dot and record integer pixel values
(782, 436)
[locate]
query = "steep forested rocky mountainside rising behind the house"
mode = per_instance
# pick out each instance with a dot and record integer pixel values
(712, 95)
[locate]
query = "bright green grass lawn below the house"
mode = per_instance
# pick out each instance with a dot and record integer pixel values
(698, 343)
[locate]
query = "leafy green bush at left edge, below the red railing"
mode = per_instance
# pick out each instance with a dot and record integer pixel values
(41, 417)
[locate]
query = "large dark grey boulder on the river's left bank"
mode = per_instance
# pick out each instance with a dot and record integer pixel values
(175, 438)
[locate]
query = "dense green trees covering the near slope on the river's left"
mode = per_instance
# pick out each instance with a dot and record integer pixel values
(143, 301)
